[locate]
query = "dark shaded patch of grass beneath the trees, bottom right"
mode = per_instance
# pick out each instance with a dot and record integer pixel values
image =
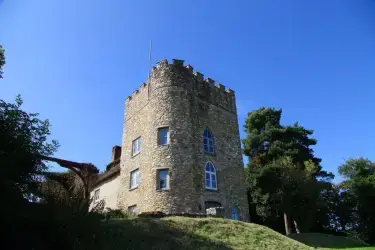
(327, 240)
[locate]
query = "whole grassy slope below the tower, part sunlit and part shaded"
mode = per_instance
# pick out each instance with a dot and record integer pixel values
(187, 233)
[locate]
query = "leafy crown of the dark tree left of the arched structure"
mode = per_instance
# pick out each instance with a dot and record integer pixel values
(23, 138)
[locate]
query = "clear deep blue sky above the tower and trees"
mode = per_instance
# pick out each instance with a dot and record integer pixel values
(75, 62)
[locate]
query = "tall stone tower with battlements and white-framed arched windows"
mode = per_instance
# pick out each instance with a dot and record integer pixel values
(181, 148)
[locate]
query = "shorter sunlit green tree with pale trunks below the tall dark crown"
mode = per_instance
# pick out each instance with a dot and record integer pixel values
(282, 189)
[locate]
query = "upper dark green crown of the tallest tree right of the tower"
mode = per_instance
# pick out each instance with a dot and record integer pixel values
(268, 140)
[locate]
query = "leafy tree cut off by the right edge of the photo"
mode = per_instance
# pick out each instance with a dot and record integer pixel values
(358, 194)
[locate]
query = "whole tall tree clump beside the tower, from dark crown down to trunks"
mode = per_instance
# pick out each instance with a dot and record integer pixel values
(282, 172)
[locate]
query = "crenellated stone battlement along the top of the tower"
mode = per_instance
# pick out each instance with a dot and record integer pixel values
(178, 74)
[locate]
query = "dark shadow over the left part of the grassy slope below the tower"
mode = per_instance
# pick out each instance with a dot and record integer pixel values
(145, 233)
